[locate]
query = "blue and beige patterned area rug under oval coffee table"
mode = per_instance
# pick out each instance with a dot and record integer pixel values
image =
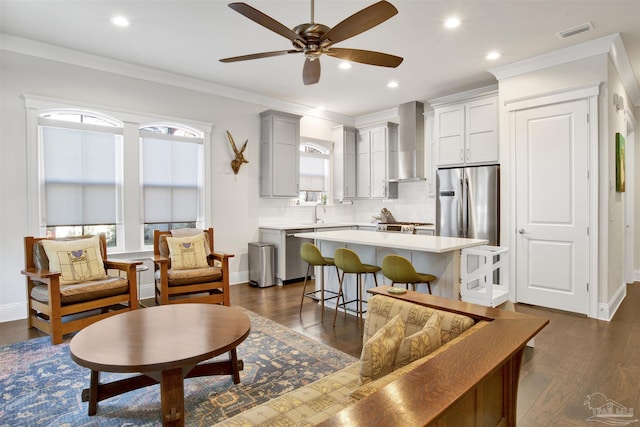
(41, 386)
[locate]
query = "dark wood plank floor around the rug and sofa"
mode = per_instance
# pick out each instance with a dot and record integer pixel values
(573, 357)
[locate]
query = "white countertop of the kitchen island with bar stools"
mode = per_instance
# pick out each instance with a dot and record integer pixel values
(413, 242)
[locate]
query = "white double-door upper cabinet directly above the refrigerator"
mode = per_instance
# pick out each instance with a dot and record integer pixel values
(466, 132)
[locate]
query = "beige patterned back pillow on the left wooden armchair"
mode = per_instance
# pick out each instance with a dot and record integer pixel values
(77, 260)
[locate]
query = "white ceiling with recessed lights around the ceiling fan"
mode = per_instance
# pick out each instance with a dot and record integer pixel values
(188, 37)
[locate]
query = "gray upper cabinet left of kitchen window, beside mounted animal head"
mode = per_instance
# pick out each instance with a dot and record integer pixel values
(279, 154)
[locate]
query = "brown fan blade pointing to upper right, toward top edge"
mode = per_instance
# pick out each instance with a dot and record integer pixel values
(360, 22)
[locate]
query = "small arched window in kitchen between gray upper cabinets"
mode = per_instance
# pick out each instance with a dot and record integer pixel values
(314, 171)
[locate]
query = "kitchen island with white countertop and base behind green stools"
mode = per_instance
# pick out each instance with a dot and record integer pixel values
(435, 255)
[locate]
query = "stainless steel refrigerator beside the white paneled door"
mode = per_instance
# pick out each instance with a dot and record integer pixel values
(468, 203)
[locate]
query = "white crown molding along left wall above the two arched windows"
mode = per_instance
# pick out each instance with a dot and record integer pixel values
(73, 57)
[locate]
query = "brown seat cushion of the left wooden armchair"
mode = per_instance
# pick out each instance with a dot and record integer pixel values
(86, 291)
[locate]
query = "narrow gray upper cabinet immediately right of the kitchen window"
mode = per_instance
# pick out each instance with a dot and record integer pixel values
(344, 162)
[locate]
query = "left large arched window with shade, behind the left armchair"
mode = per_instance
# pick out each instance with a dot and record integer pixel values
(80, 174)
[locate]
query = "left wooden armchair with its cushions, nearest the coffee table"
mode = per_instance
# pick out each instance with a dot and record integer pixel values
(68, 287)
